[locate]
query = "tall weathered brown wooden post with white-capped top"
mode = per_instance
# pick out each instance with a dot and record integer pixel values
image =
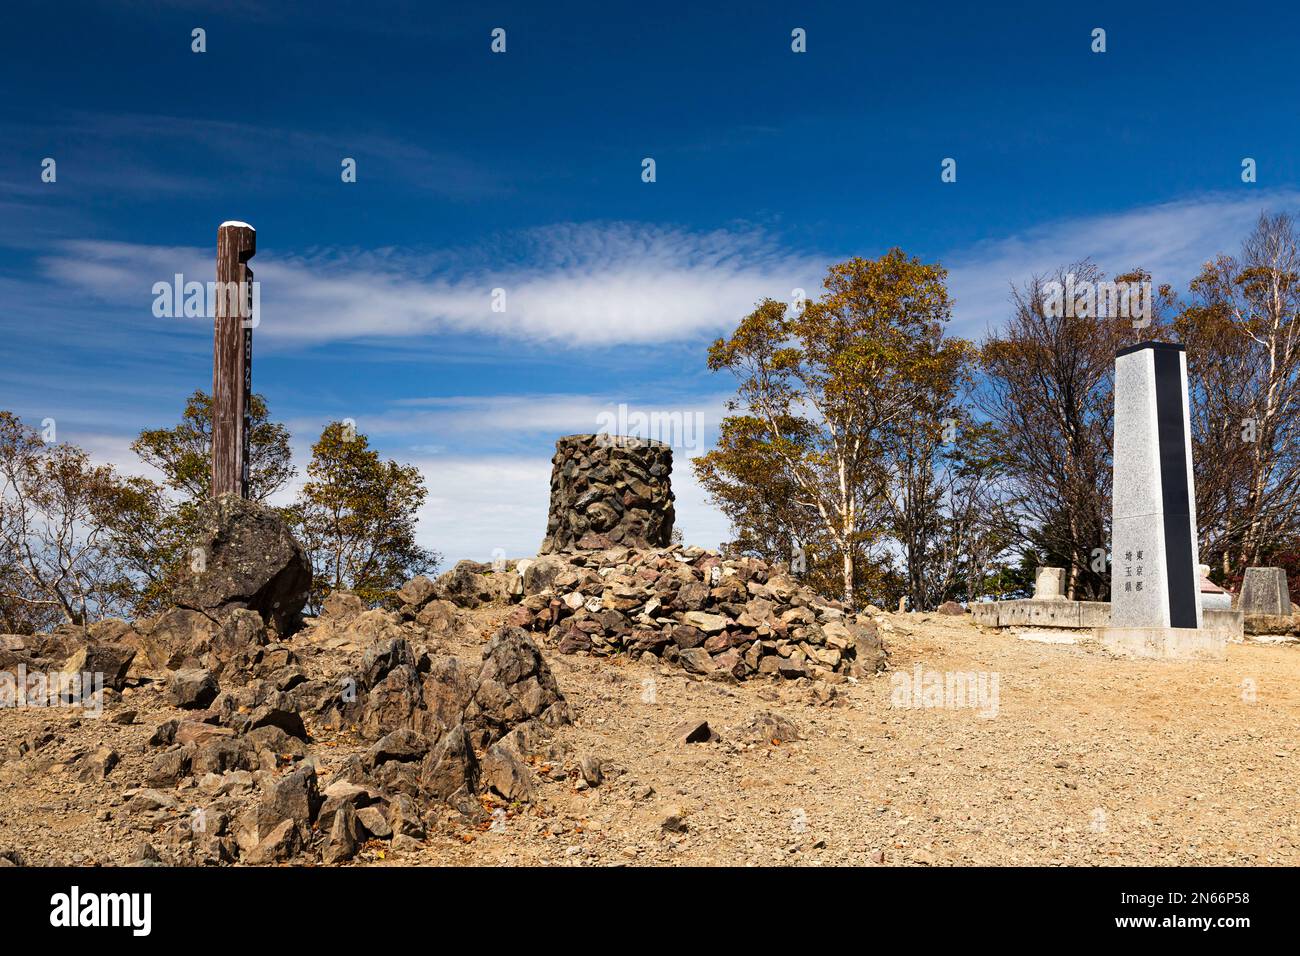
(232, 360)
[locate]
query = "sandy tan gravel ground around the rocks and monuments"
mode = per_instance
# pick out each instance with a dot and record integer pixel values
(1089, 760)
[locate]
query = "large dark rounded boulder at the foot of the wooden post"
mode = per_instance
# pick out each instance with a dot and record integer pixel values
(248, 559)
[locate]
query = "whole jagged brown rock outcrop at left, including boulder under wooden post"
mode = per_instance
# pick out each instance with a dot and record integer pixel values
(255, 707)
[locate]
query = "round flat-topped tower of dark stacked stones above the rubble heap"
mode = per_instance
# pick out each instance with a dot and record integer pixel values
(609, 491)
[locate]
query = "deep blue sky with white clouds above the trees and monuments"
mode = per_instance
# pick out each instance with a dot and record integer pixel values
(523, 172)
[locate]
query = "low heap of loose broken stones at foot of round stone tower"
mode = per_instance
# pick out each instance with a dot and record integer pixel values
(714, 617)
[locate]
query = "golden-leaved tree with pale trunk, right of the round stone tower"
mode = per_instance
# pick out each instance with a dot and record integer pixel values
(822, 395)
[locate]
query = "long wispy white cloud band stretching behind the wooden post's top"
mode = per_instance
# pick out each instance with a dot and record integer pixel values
(567, 287)
